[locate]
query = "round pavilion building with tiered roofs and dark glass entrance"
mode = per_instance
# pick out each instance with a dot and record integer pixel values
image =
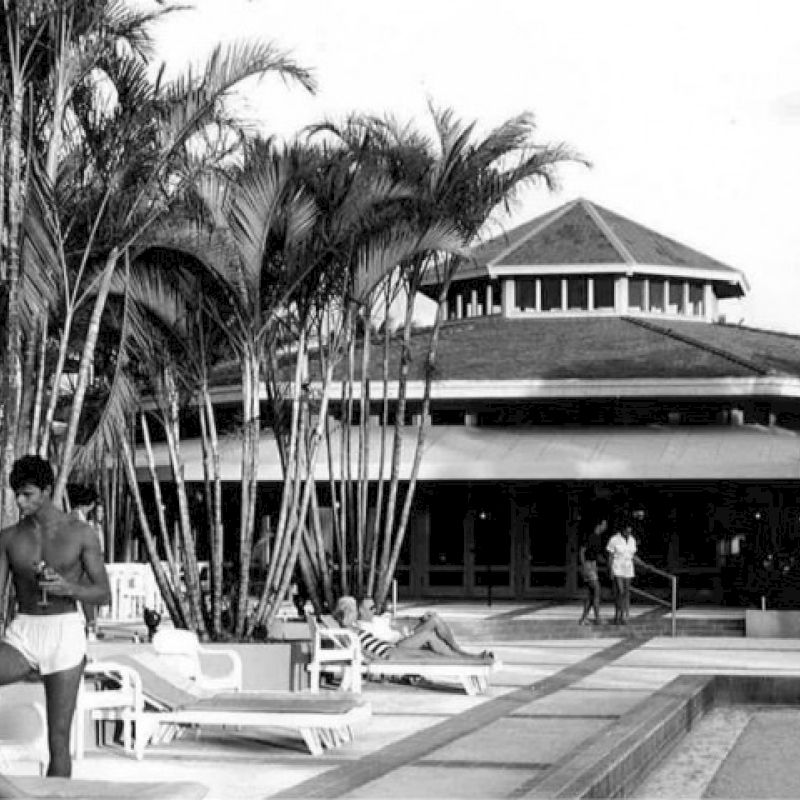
(583, 361)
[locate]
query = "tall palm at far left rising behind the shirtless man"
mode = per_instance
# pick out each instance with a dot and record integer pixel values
(113, 169)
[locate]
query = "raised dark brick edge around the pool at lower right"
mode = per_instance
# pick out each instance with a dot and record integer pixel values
(613, 762)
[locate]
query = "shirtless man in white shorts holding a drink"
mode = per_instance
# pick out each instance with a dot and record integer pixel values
(47, 633)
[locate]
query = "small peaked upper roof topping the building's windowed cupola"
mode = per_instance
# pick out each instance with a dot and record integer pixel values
(582, 232)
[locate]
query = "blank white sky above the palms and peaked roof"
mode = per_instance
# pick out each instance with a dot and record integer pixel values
(688, 110)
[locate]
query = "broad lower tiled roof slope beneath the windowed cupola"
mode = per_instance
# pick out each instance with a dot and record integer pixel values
(591, 348)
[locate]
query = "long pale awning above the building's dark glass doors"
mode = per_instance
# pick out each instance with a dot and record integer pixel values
(506, 454)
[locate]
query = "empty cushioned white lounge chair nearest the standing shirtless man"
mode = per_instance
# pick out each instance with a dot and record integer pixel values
(172, 702)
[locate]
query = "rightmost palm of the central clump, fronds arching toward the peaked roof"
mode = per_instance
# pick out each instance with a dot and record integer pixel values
(461, 179)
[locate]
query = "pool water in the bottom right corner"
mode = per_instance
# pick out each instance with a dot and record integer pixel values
(733, 752)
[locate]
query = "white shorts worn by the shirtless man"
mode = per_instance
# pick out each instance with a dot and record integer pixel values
(49, 642)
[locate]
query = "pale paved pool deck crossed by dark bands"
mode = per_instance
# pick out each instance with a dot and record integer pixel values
(552, 700)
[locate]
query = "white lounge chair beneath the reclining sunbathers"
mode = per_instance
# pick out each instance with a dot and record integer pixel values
(471, 675)
